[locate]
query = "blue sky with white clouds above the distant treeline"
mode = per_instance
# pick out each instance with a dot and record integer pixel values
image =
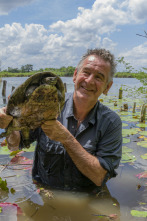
(55, 33)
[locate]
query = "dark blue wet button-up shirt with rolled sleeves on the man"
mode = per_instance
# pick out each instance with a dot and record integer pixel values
(100, 134)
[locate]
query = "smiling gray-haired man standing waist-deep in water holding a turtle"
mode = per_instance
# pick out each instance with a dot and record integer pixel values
(82, 148)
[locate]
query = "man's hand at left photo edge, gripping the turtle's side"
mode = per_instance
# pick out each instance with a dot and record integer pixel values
(4, 118)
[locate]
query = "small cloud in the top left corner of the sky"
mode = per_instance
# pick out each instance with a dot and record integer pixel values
(7, 5)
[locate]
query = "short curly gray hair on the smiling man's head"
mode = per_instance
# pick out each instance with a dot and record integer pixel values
(105, 55)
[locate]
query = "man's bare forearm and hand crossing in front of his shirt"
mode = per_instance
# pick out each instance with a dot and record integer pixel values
(88, 164)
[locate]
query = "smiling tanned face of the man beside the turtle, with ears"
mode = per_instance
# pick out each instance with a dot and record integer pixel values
(92, 79)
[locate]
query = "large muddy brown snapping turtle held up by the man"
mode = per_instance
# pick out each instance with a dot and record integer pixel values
(40, 98)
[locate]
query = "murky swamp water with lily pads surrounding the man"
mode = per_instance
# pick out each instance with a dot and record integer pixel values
(124, 199)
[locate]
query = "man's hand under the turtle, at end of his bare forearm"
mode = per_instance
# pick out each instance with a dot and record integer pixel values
(55, 130)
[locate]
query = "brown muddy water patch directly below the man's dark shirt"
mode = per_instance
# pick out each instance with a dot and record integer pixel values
(73, 206)
